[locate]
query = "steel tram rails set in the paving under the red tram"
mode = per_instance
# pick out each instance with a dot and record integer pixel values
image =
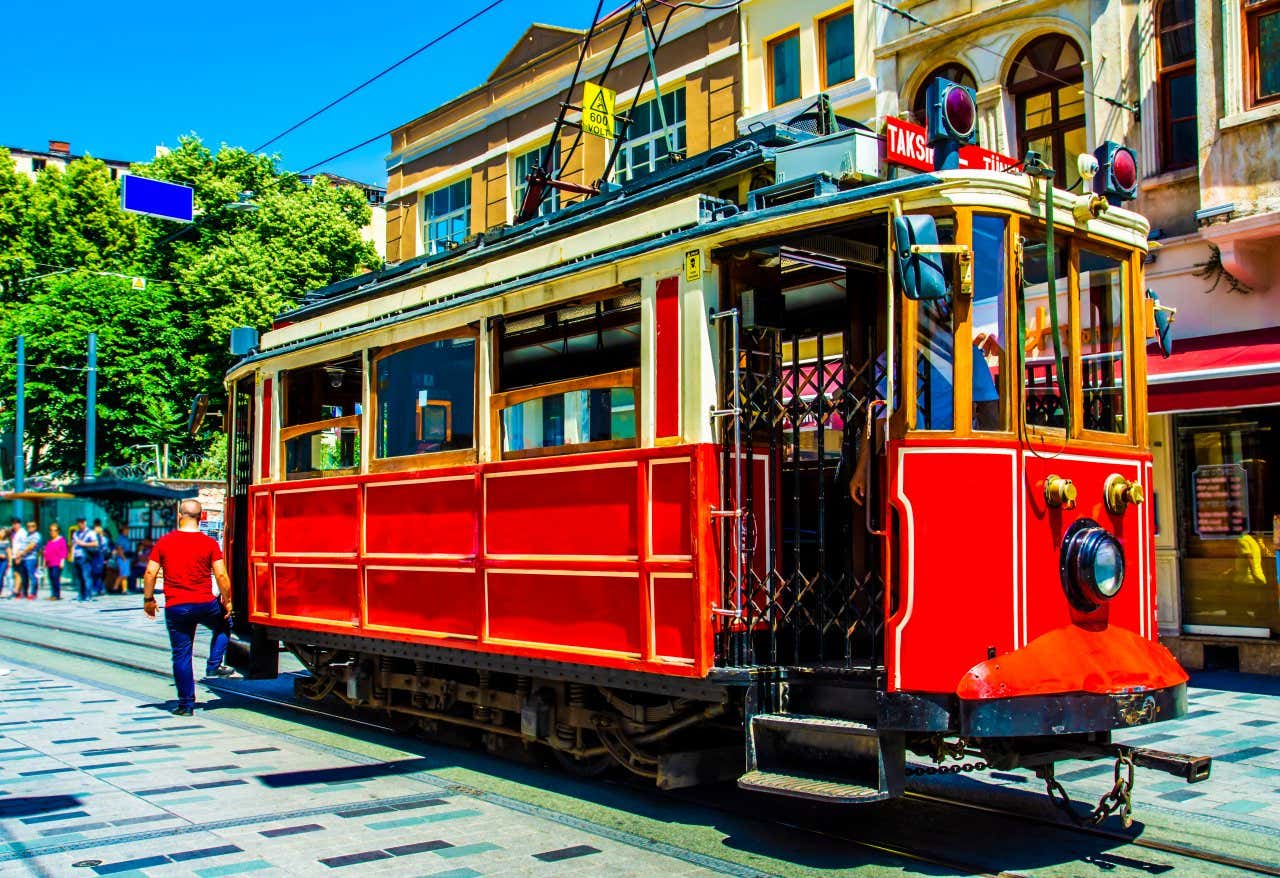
(737, 810)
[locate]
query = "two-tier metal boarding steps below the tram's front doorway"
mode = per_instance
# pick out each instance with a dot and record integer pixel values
(822, 758)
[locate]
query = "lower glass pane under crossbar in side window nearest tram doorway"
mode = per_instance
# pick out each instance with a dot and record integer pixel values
(573, 418)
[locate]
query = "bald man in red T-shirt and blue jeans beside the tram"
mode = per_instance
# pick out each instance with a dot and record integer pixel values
(189, 560)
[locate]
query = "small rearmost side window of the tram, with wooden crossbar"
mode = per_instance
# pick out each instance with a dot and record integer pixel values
(321, 422)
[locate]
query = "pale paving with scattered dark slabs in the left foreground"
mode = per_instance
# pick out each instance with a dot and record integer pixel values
(97, 783)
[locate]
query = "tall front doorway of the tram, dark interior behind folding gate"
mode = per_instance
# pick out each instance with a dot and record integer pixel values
(807, 372)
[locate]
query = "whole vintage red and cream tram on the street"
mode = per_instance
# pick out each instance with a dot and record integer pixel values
(829, 469)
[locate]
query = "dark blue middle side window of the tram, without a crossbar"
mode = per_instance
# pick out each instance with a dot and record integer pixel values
(427, 399)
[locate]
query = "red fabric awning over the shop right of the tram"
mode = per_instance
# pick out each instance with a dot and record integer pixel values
(1217, 372)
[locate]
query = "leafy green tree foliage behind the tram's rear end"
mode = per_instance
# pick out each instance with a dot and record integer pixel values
(68, 263)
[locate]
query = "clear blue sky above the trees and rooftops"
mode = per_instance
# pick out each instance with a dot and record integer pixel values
(116, 81)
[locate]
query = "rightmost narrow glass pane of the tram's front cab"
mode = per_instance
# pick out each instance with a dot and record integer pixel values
(1103, 350)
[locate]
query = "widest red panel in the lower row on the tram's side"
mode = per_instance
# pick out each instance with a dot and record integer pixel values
(592, 611)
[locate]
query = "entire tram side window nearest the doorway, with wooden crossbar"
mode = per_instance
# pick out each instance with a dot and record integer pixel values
(569, 379)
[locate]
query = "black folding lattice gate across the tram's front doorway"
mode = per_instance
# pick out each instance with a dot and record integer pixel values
(803, 584)
